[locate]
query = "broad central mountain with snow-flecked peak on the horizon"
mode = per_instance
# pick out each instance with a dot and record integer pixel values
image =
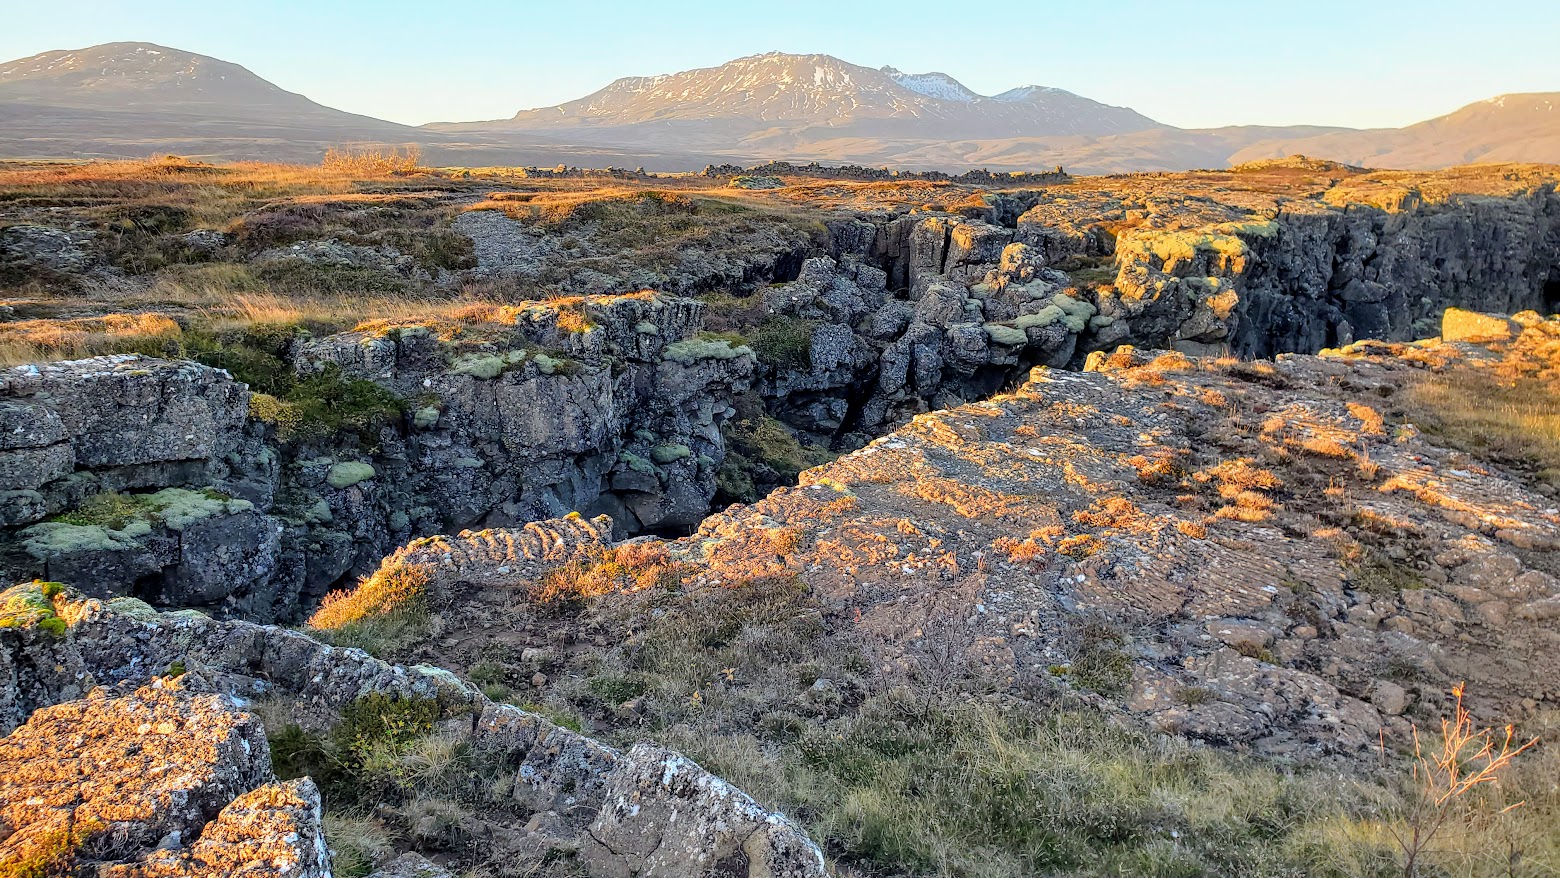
(779, 104)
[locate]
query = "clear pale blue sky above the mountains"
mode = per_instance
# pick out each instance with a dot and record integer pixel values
(1356, 63)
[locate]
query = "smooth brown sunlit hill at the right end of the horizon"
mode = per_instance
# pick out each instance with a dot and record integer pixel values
(1508, 129)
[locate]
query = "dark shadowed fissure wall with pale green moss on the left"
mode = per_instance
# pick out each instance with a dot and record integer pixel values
(508, 422)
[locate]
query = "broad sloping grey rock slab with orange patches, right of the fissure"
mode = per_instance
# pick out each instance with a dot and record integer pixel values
(1275, 539)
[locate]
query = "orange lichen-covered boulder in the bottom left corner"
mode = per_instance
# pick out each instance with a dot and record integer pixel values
(160, 782)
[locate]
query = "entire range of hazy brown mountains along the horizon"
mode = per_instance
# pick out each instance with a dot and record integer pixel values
(133, 99)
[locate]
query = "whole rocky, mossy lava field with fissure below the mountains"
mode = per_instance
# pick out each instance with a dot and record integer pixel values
(1066, 498)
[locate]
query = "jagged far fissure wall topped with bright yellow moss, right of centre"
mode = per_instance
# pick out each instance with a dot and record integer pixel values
(918, 311)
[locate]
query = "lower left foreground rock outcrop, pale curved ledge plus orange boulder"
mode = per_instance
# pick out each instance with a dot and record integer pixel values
(182, 760)
